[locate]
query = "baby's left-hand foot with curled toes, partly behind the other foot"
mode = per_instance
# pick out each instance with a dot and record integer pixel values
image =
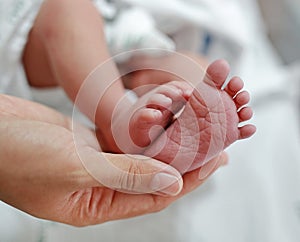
(136, 128)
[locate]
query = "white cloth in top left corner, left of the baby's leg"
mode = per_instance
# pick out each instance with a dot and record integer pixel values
(16, 19)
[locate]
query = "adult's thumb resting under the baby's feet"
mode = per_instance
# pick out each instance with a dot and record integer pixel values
(132, 173)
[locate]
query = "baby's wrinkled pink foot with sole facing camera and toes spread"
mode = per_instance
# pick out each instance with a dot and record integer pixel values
(209, 123)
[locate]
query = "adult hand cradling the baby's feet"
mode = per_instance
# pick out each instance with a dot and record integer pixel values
(42, 174)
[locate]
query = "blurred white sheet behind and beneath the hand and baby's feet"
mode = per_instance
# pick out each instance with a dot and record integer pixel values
(255, 198)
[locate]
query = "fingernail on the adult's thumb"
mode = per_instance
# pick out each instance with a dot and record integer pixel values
(166, 183)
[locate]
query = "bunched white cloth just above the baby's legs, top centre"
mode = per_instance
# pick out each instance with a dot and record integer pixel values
(126, 34)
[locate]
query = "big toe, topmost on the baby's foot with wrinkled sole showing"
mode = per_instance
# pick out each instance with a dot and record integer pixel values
(217, 73)
